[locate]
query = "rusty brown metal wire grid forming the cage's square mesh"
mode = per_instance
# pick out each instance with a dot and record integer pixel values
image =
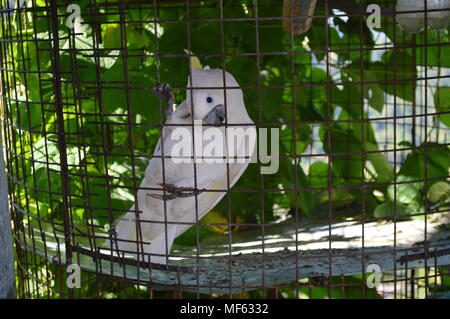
(71, 93)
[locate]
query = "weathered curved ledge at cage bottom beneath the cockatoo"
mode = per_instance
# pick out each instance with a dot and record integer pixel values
(279, 255)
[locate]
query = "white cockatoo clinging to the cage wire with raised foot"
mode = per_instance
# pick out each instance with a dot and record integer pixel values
(174, 195)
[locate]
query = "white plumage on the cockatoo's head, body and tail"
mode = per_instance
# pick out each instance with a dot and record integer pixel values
(160, 222)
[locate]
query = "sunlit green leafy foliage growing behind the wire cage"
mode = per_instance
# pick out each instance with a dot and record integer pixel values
(108, 72)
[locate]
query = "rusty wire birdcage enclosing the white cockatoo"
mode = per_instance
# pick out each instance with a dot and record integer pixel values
(359, 203)
